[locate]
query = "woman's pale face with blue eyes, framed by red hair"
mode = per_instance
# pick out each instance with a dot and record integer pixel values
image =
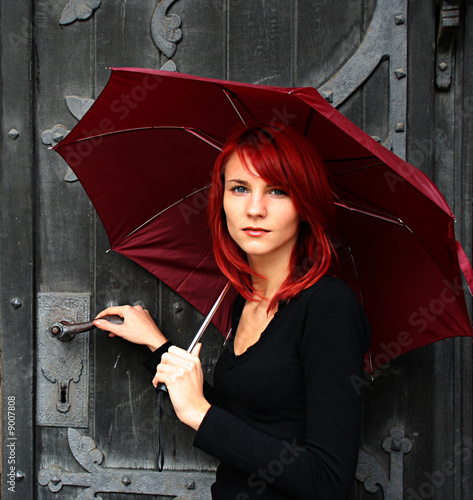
(261, 219)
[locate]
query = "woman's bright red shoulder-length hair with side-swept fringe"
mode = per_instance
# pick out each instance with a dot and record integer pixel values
(284, 159)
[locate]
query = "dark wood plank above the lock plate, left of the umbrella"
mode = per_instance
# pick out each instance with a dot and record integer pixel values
(62, 208)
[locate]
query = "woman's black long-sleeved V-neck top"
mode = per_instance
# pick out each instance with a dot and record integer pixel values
(286, 414)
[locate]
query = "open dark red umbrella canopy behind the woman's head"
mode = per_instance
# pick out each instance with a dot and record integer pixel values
(144, 153)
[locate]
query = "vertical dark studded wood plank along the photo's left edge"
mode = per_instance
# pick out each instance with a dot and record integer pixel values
(17, 178)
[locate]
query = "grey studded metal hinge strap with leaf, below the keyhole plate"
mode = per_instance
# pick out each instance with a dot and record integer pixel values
(96, 479)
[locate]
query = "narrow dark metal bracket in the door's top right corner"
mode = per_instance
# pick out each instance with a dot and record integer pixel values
(449, 21)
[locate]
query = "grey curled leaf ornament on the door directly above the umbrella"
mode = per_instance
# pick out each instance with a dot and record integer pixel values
(166, 31)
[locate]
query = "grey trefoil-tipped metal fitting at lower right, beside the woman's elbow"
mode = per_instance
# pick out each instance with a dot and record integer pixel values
(371, 473)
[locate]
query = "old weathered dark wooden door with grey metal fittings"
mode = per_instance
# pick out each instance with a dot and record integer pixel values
(80, 416)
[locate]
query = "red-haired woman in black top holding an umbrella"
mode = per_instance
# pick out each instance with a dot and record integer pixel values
(283, 416)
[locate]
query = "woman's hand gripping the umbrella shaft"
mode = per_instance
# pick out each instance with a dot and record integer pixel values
(181, 371)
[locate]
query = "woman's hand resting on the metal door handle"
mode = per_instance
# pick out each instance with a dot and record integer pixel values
(138, 326)
